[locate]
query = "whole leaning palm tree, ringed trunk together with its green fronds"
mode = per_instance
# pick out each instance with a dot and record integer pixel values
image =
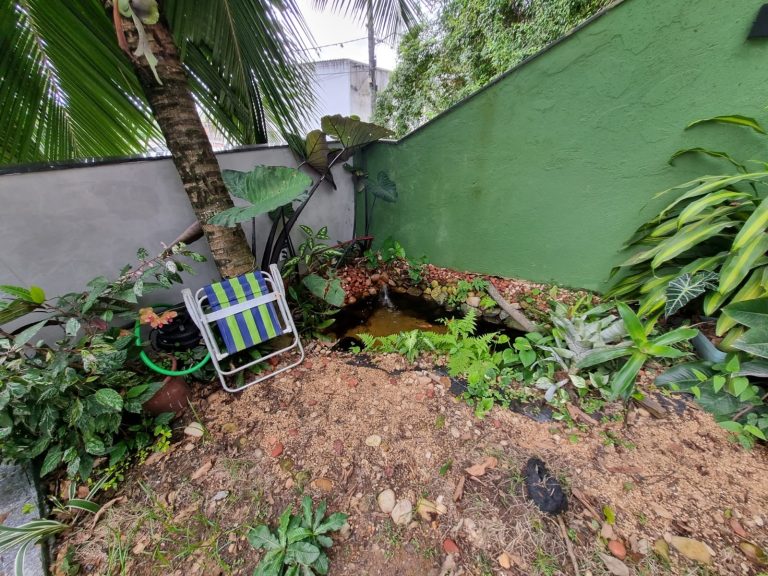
(71, 91)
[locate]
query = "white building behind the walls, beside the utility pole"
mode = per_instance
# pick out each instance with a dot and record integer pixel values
(343, 88)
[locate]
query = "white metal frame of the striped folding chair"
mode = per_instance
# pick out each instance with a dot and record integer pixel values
(195, 305)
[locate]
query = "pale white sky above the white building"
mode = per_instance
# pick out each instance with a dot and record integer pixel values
(330, 28)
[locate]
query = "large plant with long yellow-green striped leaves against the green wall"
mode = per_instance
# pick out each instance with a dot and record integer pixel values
(710, 240)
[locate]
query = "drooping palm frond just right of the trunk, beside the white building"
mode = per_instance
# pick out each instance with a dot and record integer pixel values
(244, 59)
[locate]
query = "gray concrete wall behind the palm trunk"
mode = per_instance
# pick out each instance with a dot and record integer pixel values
(59, 228)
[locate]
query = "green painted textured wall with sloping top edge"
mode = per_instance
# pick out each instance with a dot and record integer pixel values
(544, 174)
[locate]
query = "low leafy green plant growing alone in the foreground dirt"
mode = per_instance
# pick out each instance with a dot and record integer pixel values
(299, 543)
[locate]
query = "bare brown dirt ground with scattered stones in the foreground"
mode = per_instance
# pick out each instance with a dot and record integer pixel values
(344, 428)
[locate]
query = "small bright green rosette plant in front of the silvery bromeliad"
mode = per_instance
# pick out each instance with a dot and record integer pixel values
(641, 348)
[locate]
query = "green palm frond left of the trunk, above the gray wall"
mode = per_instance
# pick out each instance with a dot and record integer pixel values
(66, 90)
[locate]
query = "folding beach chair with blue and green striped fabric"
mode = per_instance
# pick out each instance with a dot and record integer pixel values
(246, 311)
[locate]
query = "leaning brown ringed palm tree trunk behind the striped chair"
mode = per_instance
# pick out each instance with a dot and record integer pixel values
(176, 114)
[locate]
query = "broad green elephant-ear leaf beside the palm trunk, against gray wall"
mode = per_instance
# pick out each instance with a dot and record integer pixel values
(265, 187)
